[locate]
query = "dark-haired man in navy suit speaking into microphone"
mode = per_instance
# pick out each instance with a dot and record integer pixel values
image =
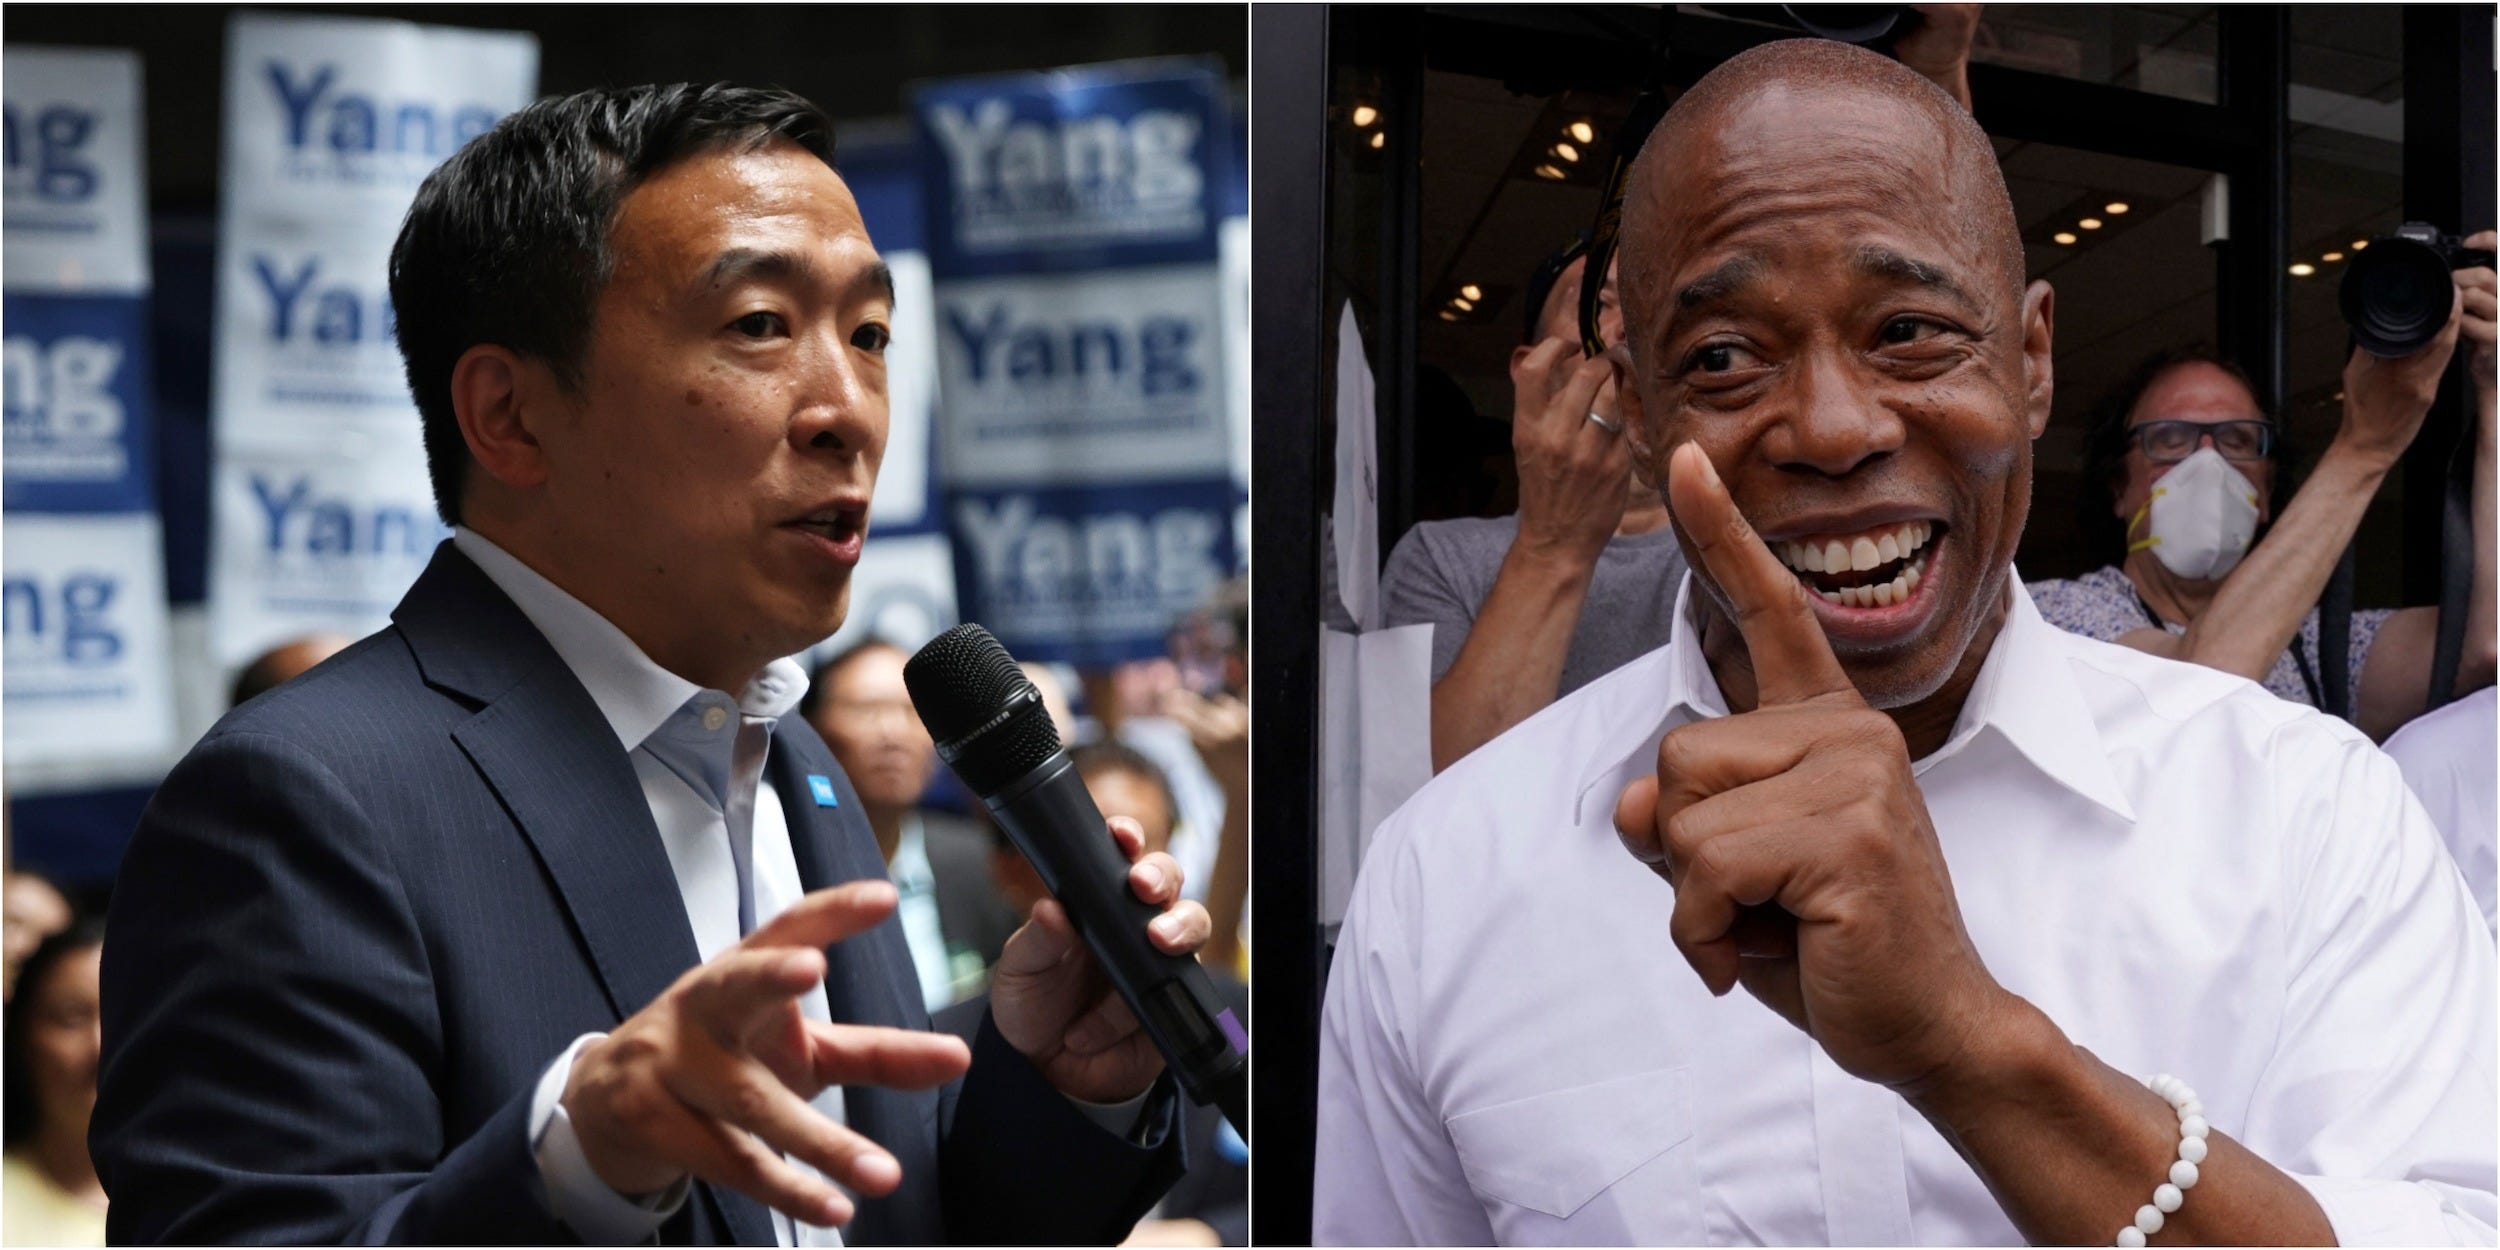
(539, 916)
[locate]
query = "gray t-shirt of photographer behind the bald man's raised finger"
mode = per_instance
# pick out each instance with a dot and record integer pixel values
(1444, 569)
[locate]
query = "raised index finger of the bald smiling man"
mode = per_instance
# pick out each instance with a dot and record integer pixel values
(1791, 659)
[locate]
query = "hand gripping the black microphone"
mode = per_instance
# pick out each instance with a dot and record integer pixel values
(1056, 1006)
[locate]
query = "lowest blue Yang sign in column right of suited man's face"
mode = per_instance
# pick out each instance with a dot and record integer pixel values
(1091, 576)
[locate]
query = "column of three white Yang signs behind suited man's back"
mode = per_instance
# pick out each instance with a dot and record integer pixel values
(321, 496)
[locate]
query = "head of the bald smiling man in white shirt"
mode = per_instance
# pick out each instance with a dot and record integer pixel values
(1826, 294)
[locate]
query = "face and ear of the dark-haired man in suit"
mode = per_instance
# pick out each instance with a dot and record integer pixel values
(711, 479)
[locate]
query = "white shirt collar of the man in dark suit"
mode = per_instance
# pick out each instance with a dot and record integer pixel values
(631, 691)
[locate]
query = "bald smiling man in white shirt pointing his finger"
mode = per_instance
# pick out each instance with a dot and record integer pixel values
(1979, 881)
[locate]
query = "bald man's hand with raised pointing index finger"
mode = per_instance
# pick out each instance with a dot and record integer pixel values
(1796, 839)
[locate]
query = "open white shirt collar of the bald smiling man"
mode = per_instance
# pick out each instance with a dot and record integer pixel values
(2024, 694)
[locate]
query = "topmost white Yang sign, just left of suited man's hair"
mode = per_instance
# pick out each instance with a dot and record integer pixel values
(336, 119)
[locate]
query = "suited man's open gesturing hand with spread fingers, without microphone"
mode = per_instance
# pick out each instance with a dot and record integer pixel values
(716, 1074)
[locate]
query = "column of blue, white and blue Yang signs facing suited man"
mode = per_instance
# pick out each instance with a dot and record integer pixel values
(1081, 366)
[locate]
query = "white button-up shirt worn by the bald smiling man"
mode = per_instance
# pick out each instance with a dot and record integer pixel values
(2184, 871)
